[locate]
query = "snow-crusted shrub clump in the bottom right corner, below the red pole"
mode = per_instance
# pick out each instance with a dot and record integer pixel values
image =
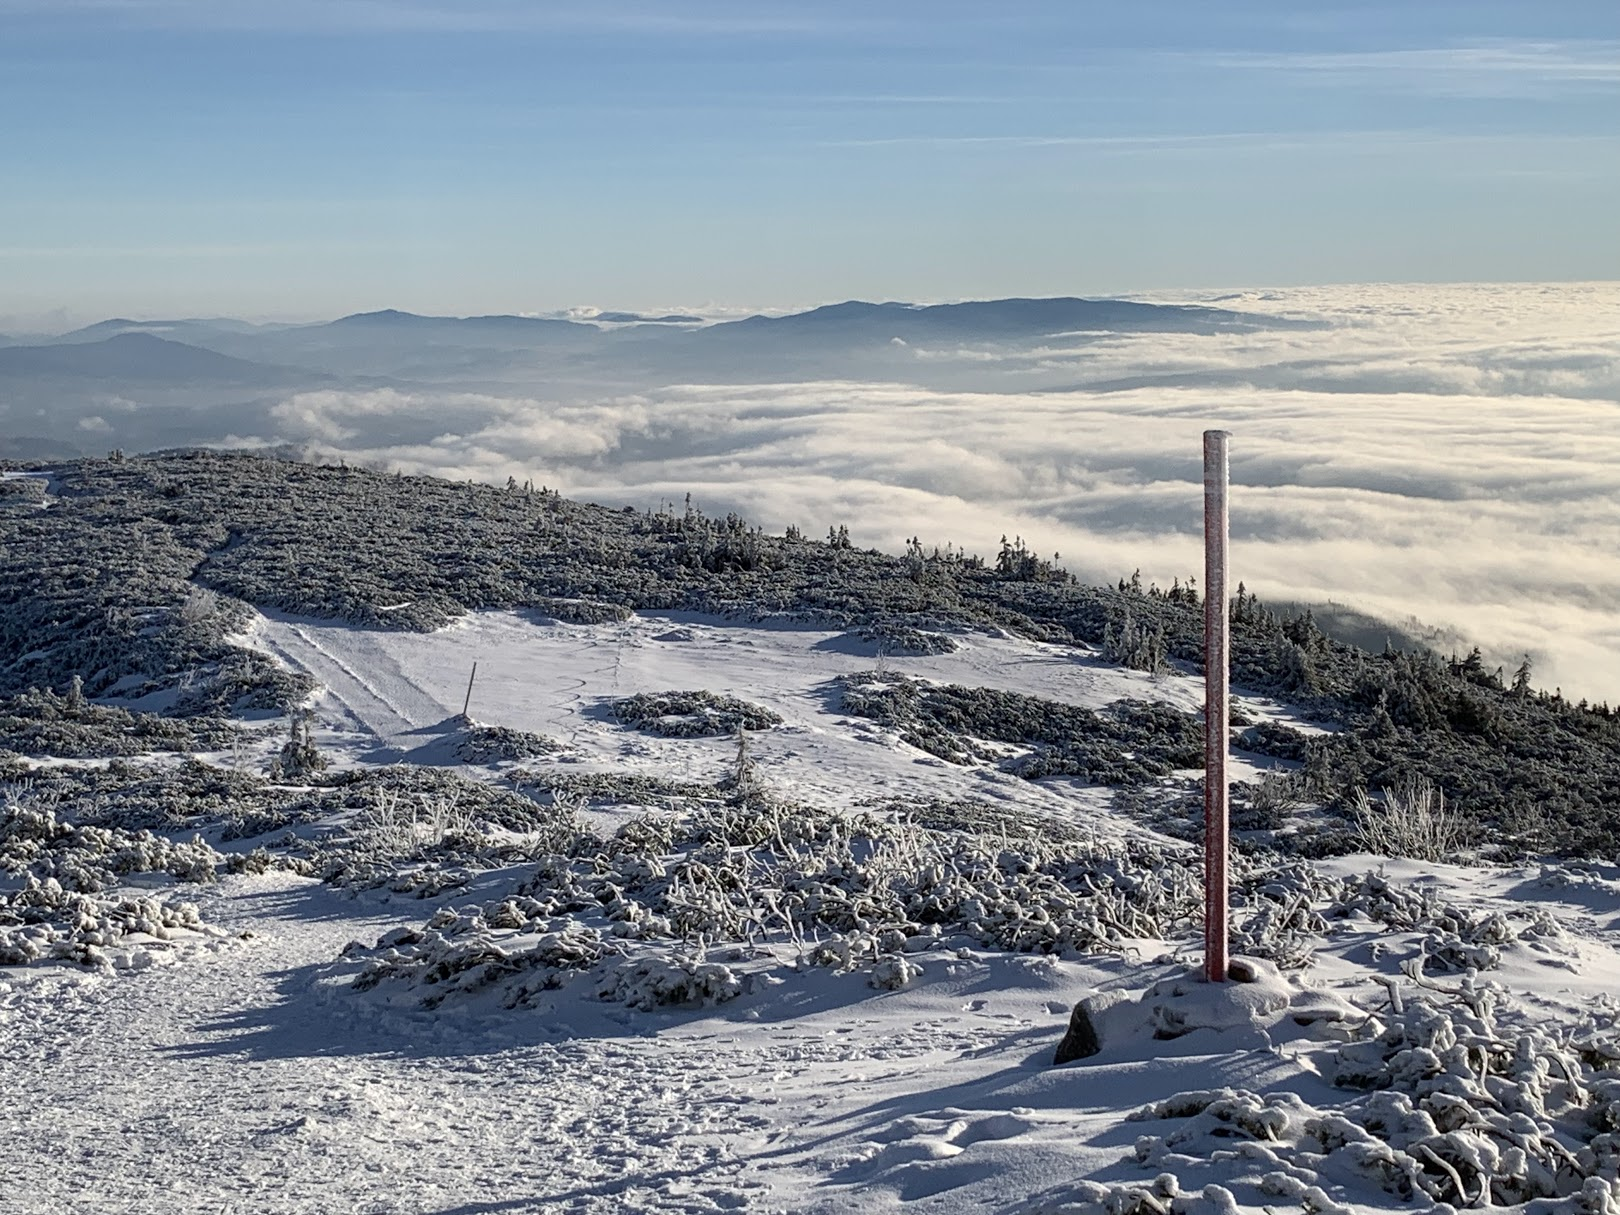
(1452, 1109)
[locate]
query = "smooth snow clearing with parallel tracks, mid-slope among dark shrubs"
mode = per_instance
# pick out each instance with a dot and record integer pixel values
(391, 696)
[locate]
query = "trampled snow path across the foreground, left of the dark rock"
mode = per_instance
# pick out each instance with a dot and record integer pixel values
(236, 1081)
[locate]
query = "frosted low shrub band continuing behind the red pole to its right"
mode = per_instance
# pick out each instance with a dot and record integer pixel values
(874, 892)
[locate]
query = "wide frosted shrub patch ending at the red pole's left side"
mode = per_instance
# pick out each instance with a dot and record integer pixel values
(850, 890)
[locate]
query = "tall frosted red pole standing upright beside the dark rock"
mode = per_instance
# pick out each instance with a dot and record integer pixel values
(1217, 665)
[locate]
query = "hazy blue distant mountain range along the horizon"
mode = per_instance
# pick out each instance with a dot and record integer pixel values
(621, 349)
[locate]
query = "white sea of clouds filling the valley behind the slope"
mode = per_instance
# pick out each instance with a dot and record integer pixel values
(1439, 453)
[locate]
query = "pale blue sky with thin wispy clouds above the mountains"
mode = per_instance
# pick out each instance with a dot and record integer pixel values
(305, 158)
